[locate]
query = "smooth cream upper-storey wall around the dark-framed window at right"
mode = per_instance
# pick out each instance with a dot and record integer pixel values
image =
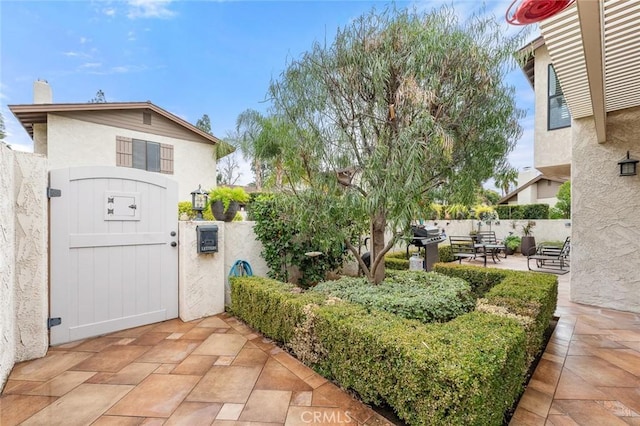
(552, 148)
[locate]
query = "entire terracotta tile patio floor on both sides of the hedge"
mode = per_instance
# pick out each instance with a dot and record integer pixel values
(217, 371)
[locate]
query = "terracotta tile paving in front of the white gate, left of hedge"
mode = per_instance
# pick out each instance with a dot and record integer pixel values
(213, 371)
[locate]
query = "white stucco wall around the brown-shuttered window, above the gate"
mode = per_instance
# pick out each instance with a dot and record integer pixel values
(79, 143)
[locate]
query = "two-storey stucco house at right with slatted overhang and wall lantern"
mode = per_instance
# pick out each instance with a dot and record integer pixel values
(585, 70)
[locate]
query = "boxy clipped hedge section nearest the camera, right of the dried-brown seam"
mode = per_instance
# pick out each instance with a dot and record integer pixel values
(467, 371)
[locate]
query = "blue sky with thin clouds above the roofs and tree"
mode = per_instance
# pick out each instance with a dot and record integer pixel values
(188, 57)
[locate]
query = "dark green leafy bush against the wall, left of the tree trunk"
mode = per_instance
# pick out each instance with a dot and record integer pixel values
(285, 240)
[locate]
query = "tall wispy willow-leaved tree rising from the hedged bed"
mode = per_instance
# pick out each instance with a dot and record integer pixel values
(399, 104)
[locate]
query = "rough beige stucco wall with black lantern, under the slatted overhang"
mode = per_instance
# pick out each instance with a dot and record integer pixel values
(605, 259)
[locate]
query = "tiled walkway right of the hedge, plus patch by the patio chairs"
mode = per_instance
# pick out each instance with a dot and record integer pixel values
(589, 373)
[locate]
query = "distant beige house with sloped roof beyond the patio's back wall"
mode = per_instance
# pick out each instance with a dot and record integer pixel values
(535, 189)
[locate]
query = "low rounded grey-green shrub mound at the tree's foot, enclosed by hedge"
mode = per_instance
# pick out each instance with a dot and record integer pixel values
(426, 297)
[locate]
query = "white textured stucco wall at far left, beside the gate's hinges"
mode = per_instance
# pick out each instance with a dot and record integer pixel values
(23, 259)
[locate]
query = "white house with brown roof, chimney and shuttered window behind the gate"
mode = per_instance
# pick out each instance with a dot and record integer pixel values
(124, 134)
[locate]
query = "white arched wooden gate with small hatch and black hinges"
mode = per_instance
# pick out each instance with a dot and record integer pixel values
(113, 251)
